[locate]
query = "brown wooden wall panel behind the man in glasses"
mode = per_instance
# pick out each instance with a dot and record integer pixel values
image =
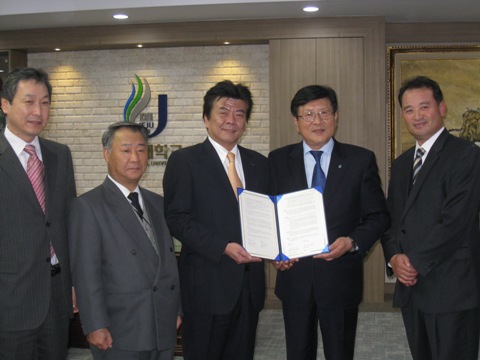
(353, 63)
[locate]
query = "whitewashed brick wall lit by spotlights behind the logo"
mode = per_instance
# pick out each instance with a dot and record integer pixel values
(91, 88)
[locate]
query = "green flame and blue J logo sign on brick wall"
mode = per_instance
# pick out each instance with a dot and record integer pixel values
(138, 101)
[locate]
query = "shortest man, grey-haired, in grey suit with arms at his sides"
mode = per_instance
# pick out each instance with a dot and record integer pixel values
(123, 261)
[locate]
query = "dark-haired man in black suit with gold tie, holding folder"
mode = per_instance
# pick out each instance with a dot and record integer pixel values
(223, 286)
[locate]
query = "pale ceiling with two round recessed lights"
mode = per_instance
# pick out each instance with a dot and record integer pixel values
(28, 14)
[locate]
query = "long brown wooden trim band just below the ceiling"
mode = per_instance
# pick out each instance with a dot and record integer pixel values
(182, 34)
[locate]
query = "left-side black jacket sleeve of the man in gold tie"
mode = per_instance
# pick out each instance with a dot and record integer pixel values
(182, 206)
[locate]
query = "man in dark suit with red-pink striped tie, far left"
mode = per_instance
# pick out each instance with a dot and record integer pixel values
(35, 284)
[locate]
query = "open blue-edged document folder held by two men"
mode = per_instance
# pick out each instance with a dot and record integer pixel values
(285, 226)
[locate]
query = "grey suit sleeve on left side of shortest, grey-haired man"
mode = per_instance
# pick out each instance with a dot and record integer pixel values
(86, 258)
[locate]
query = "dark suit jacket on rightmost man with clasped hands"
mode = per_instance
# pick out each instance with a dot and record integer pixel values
(436, 225)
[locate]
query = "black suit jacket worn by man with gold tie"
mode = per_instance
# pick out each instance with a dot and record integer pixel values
(202, 212)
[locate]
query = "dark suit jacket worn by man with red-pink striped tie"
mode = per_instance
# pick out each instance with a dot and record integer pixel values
(26, 233)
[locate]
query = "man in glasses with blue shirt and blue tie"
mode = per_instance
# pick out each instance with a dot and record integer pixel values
(327, 288)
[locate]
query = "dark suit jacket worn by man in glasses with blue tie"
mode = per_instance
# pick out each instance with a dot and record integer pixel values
(354, 206)
